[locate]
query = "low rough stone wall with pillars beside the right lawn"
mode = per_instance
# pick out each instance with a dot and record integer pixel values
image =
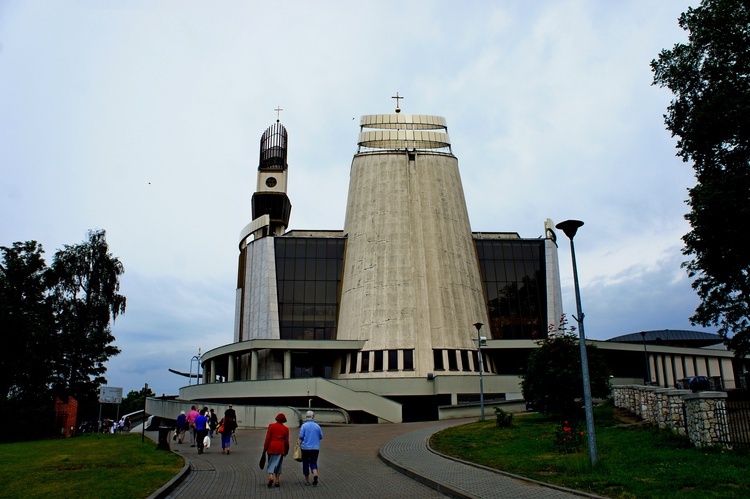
(701, 416)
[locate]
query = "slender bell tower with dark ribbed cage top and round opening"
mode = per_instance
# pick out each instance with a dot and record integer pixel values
(270, 196)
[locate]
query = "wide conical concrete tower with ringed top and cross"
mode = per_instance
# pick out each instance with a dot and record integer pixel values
(411, 281)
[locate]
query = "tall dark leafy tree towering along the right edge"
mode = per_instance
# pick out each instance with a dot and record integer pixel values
(710, 115)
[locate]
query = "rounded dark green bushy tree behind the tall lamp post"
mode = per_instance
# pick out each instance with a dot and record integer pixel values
(553, 381)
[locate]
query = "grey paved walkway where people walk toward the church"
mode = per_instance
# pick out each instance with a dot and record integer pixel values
(372, 461)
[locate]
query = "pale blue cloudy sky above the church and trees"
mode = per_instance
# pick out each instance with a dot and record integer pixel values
(143, 118)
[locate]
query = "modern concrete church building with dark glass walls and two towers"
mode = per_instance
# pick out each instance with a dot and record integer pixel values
(405, 314)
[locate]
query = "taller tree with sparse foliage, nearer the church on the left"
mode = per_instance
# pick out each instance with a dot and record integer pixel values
(85, 282)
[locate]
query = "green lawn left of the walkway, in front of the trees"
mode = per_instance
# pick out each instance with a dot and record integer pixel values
(93, 465)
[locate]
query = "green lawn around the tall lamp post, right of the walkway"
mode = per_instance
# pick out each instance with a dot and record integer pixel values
(633, 460)
